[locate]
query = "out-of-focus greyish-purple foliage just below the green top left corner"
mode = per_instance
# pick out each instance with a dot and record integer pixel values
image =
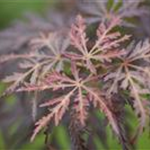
(18, 35)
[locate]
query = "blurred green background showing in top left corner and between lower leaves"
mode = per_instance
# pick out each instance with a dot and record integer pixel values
(14, 9)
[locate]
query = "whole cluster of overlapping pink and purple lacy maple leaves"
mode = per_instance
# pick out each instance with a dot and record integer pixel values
(80, 74)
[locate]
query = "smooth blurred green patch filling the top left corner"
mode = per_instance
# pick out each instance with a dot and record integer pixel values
(11, 9)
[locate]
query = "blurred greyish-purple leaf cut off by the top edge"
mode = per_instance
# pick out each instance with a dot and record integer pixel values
(106, 10)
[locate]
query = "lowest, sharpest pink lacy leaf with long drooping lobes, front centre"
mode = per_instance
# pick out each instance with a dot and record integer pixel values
(76, 88)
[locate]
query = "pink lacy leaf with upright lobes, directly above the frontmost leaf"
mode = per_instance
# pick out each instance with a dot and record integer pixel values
(105, 47)
